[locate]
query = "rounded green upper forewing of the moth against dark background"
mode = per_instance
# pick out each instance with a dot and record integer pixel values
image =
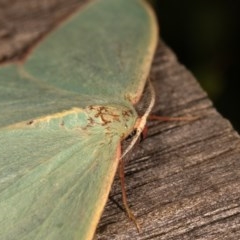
(107, 43)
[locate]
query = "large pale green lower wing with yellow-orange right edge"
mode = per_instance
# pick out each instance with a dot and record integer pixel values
(54, 183)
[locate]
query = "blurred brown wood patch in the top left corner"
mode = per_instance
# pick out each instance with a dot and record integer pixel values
(24, 22)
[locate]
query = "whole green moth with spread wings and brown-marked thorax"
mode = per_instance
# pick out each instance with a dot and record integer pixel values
(64, 111)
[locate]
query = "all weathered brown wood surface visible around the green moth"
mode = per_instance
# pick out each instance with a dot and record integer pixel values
(183, 180)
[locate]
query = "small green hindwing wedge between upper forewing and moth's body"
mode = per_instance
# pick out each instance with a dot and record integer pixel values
(23, 98)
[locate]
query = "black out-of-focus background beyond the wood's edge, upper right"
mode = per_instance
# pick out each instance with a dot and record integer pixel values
(205, 37)
